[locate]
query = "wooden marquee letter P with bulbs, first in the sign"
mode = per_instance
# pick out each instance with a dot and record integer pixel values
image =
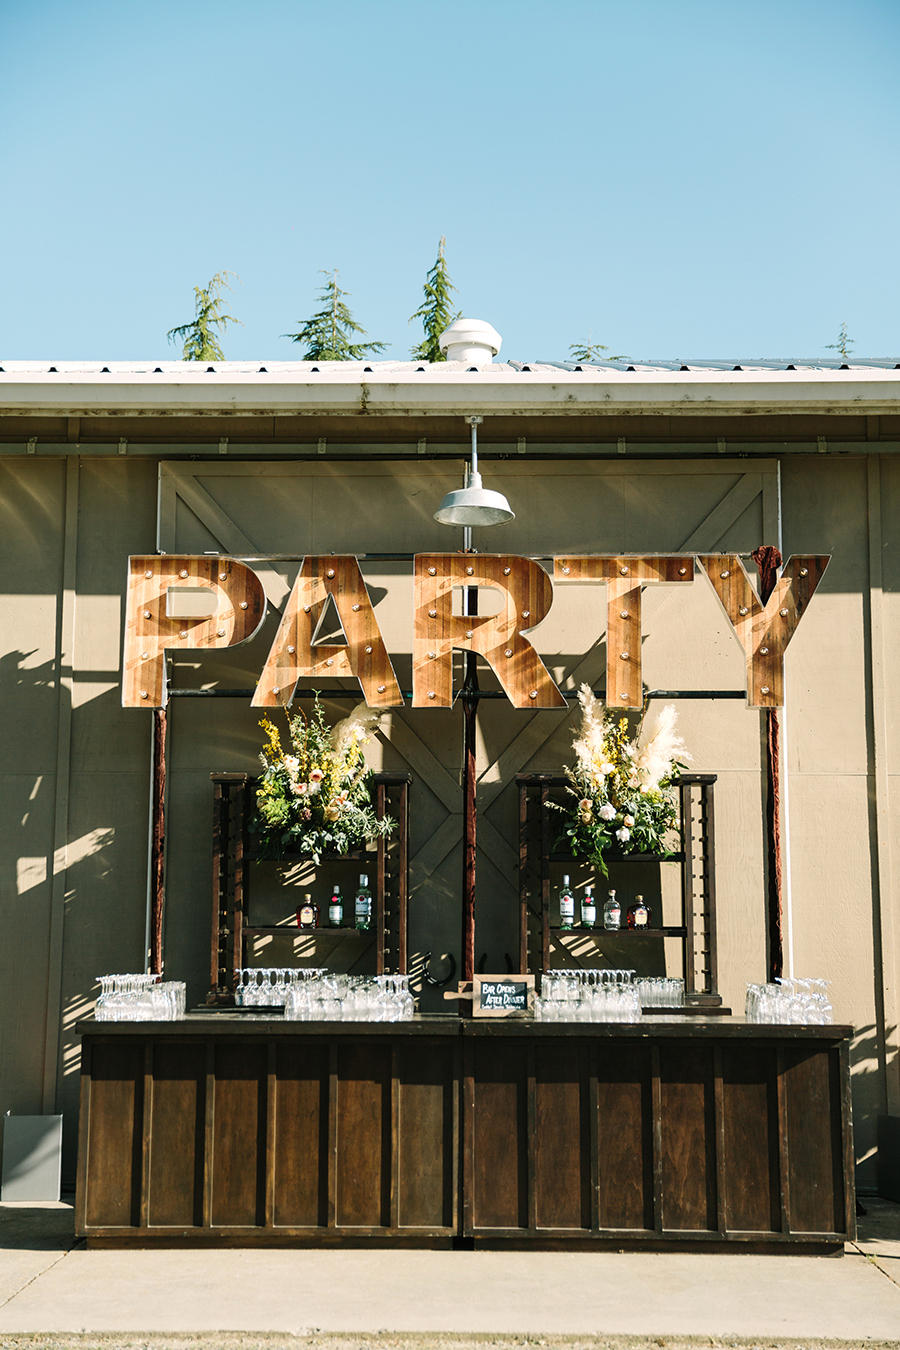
(231, 614)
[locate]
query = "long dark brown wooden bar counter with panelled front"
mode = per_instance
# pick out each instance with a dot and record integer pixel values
(242, 1129)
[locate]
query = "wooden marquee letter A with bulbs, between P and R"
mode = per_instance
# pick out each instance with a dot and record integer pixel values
(295, 653)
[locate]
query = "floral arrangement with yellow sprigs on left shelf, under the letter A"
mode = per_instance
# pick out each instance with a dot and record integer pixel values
(314, 799)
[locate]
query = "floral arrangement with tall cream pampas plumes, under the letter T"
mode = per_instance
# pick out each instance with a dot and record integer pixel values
(624, 800)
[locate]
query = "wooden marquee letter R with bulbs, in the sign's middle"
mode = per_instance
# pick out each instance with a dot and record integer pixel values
(528, 595)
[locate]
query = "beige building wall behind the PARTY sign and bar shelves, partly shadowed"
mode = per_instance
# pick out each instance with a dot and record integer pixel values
(75, 766)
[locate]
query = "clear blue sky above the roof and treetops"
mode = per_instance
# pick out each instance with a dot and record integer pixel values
(670, 178)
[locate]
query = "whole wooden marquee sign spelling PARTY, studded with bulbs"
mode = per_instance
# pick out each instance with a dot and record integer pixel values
(200, 603)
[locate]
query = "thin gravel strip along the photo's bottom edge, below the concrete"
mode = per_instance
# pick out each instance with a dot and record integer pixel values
(226, 1341)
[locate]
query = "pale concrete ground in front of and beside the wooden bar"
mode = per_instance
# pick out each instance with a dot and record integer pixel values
(56, 1294)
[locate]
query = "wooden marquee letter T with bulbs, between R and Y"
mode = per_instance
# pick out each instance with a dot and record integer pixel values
(624, 580)
